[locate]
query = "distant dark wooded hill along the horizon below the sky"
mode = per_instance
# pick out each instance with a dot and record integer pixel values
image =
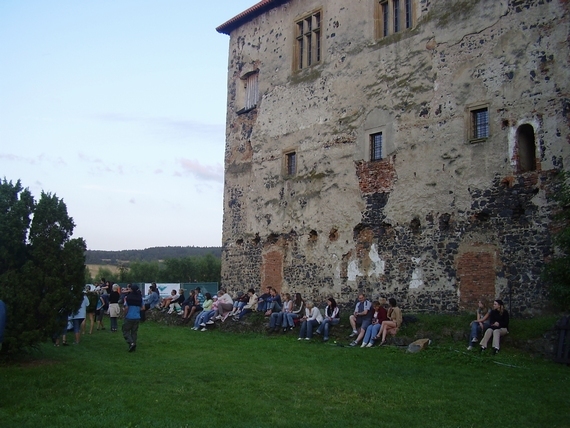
(98, 257)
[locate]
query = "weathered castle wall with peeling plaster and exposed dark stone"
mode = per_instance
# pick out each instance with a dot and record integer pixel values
(442, 218)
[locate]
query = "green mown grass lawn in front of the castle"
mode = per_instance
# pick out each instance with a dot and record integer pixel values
(183, 378)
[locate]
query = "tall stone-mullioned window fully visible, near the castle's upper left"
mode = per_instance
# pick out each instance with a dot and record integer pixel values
(308, 41)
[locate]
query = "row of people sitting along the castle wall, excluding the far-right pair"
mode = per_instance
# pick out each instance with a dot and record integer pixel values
(370, 321)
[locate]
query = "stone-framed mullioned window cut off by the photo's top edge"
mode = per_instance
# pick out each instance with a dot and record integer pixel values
(394, 16)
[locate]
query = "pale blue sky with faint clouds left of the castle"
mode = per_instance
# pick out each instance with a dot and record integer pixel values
(118, 107)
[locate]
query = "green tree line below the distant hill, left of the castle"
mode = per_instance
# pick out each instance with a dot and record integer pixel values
(205, 268)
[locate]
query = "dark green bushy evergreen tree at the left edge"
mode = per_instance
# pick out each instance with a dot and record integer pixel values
(41, 268)
